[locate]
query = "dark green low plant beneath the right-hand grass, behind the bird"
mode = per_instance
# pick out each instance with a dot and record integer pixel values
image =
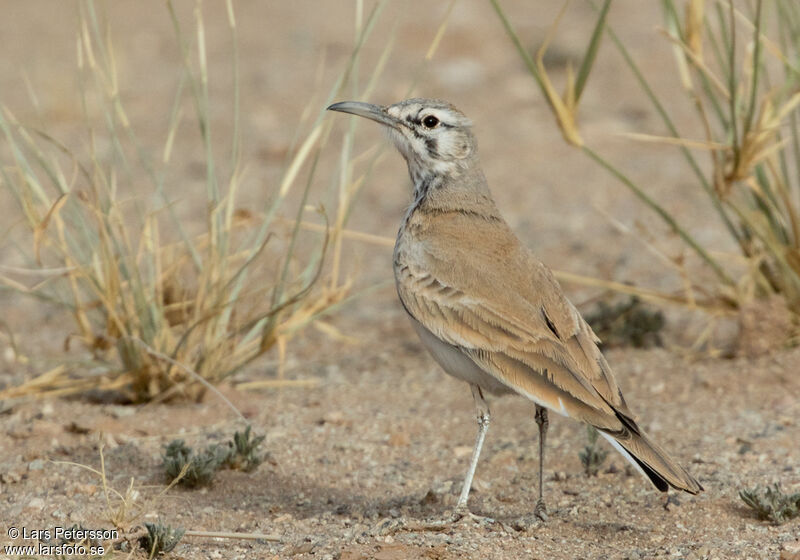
(626, 323)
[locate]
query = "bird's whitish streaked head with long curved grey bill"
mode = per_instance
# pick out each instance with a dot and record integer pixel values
(434, 137)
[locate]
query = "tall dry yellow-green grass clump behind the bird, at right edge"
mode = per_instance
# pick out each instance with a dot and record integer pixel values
(739, 65)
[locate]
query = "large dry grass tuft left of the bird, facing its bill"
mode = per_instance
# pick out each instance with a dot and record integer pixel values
(154, 302)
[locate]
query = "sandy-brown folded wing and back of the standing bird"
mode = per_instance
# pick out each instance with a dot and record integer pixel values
(486, 294)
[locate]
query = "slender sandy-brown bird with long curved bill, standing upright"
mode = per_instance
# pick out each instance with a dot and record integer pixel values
(486, 309)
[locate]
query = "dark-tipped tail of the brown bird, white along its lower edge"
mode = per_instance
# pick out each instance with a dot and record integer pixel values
(652, 461)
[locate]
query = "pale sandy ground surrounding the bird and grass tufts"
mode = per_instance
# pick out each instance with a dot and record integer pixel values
(380, 444)
